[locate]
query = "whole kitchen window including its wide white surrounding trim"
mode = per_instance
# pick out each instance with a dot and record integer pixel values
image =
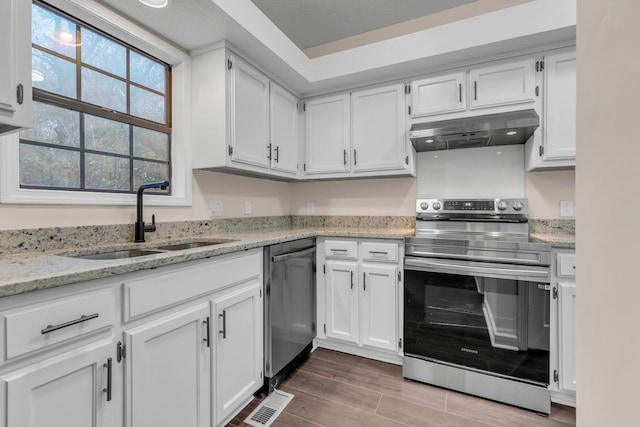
(104, 90)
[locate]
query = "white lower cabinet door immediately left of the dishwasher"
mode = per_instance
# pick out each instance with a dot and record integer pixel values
(239, 351)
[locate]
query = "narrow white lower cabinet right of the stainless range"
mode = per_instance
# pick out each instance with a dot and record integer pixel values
(563, 327)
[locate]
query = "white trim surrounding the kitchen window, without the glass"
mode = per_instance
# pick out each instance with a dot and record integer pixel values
(120, 28)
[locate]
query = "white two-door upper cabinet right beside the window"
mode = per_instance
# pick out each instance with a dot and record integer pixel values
(242, 122)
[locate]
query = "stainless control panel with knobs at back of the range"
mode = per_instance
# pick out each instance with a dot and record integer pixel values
(472, 206)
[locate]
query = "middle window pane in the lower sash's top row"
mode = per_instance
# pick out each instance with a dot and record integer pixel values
(106, 135)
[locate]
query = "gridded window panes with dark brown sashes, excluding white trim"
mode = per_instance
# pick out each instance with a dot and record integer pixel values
(101, 116)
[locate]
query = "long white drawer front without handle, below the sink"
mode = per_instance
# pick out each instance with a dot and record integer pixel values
(172, 285)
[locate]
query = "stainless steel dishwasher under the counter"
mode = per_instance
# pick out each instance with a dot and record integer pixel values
(289, 307)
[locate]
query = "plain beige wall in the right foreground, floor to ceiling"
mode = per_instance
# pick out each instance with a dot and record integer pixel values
(607, 180)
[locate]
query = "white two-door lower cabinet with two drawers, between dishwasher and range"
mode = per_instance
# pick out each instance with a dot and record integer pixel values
(359, 294)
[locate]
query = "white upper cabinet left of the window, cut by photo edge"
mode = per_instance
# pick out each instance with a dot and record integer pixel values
(15, 71)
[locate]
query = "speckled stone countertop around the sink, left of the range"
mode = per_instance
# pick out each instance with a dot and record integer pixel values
(29, 271)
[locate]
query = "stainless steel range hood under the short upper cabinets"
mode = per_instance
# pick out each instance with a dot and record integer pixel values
(514, 127)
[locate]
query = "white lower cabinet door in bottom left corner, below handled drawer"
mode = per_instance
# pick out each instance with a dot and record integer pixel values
(66, 390)
